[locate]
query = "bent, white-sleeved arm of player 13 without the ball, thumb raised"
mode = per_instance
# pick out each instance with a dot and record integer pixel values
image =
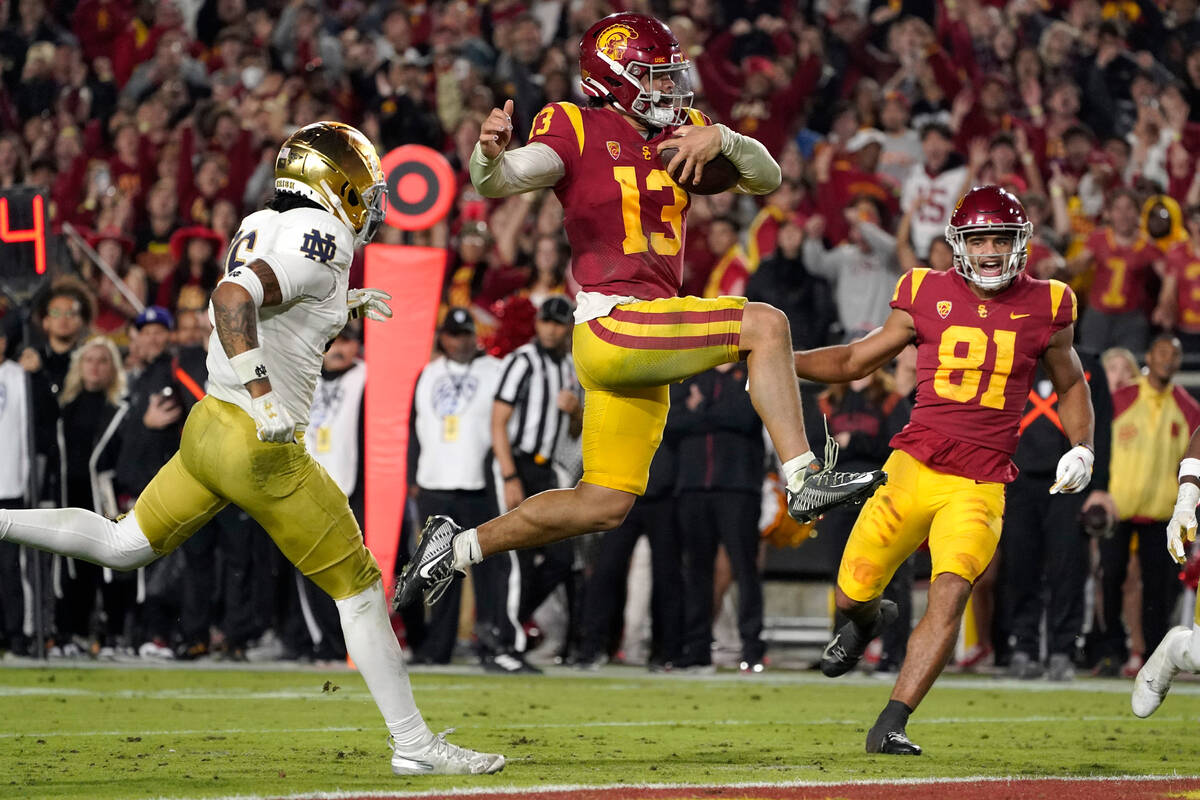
(497, 172)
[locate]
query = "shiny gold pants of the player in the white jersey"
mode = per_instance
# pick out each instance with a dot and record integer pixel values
(221, 461)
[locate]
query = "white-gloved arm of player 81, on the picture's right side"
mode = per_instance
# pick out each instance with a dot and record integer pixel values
(1076, 411)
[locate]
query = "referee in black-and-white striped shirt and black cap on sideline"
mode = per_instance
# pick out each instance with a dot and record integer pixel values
(537, 405)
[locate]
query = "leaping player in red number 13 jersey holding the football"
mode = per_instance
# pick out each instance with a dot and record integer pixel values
(634, 336)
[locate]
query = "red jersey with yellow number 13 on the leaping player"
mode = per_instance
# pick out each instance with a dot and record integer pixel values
(625, 216)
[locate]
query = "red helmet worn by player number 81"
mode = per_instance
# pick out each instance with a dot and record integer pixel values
(989, 210)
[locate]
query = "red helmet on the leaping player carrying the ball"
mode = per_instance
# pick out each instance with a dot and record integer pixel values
(619, 52)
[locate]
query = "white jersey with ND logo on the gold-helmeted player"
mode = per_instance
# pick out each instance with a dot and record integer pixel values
(310, 252)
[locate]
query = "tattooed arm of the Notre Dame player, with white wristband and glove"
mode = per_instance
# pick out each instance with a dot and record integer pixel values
(236, 304)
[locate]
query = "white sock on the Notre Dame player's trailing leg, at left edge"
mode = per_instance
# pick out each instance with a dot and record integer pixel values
(80, 534)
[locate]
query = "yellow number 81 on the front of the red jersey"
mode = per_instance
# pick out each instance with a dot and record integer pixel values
(967, 368)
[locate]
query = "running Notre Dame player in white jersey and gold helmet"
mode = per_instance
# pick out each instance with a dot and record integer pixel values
(284, 298)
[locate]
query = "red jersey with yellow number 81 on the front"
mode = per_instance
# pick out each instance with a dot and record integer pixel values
(976, 362)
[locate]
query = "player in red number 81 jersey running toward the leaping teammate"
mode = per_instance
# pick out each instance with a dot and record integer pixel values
(980, 332)
